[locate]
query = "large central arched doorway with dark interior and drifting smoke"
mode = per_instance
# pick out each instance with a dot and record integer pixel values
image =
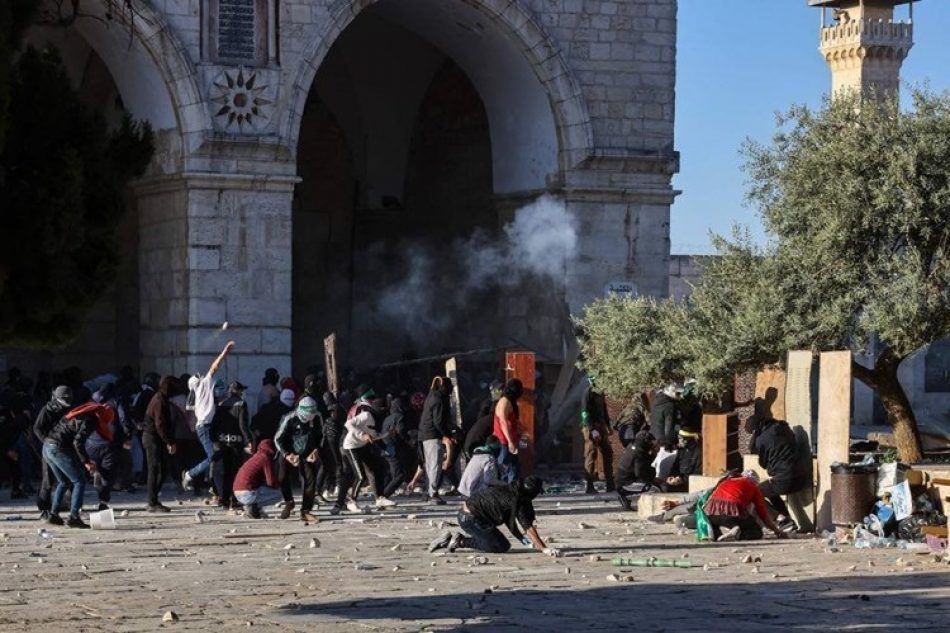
(425, 123)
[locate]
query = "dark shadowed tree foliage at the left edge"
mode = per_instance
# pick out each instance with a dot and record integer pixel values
(63, 198)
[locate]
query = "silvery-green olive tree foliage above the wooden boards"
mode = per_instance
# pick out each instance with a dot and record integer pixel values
(855, 198)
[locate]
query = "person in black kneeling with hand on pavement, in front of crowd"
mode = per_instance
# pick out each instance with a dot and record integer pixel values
(481, 515)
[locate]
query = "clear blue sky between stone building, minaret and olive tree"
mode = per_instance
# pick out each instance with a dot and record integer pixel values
(740, 62)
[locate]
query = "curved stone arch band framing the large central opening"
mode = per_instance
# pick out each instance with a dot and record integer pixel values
(504, 92)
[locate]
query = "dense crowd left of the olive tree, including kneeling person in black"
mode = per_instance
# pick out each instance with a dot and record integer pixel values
(300, 443)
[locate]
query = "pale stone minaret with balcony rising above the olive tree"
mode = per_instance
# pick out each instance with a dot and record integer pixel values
(863, 44)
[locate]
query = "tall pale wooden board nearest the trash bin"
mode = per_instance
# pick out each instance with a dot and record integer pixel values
(834, 425)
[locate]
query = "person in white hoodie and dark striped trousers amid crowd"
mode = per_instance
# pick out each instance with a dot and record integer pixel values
(361, 455)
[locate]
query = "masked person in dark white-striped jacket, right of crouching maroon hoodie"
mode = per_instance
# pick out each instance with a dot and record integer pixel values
(298, 439)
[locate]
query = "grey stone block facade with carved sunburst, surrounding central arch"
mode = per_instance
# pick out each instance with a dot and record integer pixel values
(579, 97)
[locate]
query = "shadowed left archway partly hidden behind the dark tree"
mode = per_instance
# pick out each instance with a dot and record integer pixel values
(116, 72)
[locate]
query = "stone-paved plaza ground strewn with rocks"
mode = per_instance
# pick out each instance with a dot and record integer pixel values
(372, 573)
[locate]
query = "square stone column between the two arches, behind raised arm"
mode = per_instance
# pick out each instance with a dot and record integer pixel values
(216, 248)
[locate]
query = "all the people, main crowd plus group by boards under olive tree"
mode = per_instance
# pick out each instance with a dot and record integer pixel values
(309, 443)
